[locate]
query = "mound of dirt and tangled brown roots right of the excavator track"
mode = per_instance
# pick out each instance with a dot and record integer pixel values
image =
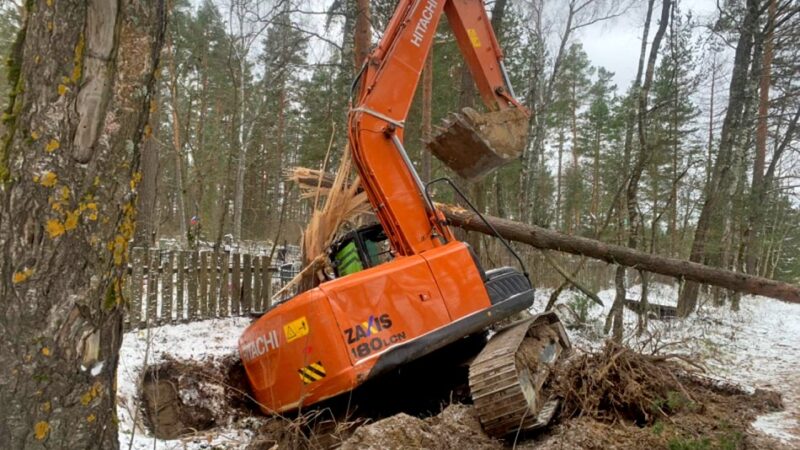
(620, 398)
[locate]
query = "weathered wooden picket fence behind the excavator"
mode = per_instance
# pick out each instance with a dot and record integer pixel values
(170, 286)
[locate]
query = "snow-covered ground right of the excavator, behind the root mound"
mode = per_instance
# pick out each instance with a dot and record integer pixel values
(757, 346)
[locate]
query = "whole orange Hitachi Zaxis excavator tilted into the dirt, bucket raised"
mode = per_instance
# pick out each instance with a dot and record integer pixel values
(407, 287)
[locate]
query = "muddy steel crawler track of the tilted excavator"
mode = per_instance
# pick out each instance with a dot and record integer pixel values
(507, 376)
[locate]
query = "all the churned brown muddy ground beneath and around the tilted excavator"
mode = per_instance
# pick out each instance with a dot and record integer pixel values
(613, 398)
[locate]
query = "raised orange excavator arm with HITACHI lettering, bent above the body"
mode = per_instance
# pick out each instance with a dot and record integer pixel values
(386, 88)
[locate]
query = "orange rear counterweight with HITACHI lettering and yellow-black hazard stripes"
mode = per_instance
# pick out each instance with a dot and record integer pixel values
(295, 353)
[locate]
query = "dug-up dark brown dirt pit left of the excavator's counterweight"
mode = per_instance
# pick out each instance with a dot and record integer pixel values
(182, 397)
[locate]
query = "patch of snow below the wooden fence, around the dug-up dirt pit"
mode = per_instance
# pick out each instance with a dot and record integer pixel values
(193, 341)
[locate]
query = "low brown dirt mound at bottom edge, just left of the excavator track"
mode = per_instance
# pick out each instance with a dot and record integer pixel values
(456, 427)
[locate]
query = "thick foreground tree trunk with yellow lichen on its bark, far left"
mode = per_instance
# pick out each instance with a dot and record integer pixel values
(70, 168)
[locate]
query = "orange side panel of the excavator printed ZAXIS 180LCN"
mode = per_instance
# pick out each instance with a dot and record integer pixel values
(384, 306)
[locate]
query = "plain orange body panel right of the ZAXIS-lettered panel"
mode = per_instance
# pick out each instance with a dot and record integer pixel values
(458, 278)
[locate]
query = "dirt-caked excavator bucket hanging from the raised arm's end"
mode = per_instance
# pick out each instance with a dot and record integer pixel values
(473, 144)
